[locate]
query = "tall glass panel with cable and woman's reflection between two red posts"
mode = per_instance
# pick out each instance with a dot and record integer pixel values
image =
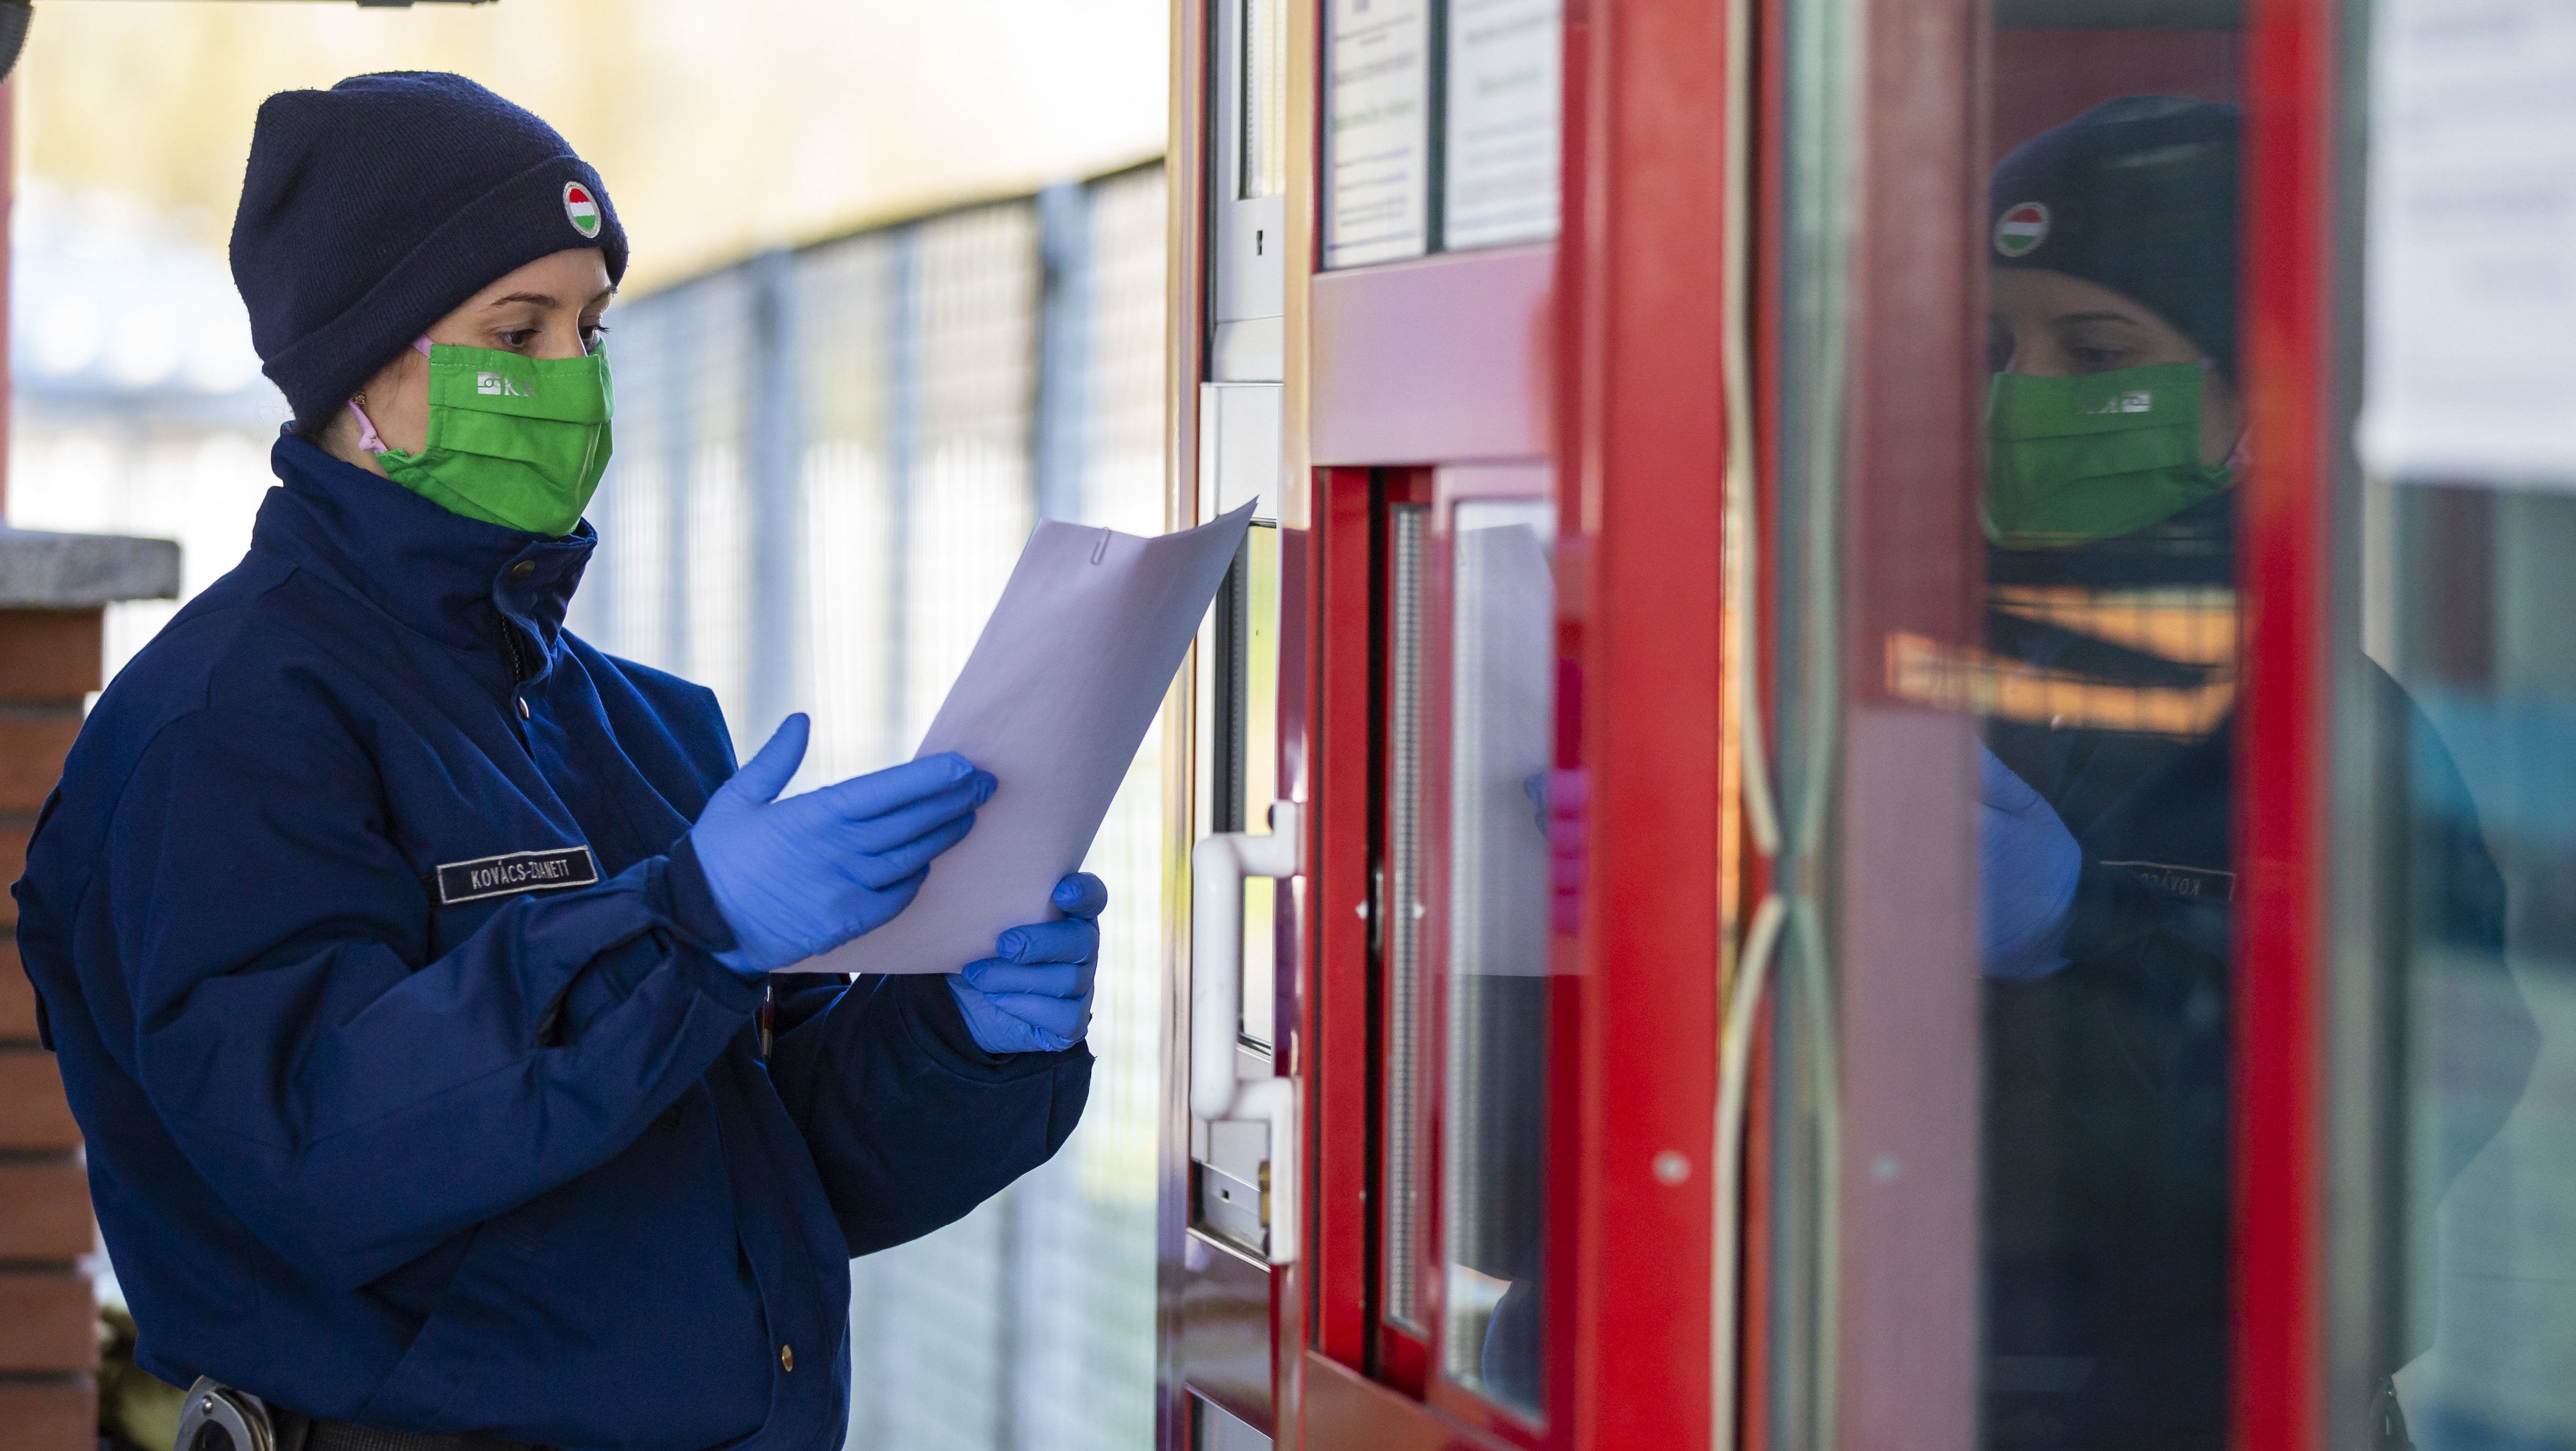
(2005, 445)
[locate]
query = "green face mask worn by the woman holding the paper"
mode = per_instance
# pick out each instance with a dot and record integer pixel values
(514, 442)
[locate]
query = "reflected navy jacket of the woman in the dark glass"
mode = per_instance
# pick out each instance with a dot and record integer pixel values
(2108, 1084)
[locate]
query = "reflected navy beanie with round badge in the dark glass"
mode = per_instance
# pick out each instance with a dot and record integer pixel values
(2137, 195)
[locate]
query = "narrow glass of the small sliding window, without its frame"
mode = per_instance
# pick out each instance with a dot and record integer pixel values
(1501, 651)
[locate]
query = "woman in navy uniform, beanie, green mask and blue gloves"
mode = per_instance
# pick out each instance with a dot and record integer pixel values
(406, 957)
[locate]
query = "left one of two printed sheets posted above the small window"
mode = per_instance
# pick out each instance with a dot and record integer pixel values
(1377, 130)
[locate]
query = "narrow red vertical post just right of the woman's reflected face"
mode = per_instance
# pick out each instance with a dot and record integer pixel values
(2281, 774)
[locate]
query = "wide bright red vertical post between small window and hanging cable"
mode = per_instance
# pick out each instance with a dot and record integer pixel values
(1642, 450)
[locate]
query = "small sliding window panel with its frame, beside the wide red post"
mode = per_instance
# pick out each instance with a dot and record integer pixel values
(1472, 805)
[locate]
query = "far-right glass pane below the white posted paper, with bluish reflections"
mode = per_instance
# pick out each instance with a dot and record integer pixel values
(2477, 736)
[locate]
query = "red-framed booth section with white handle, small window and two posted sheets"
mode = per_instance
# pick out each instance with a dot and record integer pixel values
(1475, 1200)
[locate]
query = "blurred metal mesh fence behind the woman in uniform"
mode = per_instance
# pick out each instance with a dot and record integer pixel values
(826, 468)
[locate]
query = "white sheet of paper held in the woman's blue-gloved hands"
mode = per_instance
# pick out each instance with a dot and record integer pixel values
(1055, 702)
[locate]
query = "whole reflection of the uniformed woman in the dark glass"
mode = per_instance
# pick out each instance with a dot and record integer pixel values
(2116, 439)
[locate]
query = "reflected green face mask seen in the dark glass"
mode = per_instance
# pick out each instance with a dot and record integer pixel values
(2093, 457)
